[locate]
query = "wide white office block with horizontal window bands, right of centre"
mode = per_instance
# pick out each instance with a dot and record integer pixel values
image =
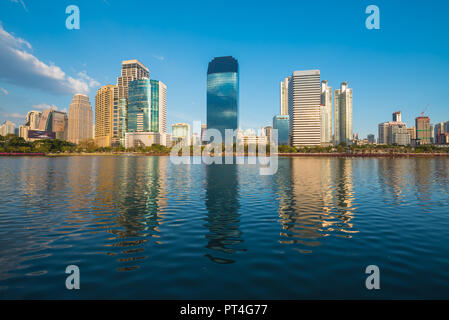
(304, 97)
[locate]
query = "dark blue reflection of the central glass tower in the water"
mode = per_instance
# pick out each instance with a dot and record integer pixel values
(222, 221)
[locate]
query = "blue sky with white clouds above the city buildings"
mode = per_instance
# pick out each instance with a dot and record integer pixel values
(403, 66)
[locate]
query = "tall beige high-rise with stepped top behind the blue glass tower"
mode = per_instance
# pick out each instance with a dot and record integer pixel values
(131, 70)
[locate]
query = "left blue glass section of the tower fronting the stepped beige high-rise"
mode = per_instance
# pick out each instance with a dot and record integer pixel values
(139, 106)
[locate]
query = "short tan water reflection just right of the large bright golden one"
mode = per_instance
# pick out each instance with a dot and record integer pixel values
(391, 173)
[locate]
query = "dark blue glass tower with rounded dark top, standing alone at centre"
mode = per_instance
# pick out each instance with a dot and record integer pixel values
(223, 94)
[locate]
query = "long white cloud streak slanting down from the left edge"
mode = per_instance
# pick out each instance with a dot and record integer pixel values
(20, 67)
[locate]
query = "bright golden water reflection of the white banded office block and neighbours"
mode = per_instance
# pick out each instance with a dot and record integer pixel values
(318, 202)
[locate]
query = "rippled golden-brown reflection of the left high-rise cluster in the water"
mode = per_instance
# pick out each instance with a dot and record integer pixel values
(131, 198)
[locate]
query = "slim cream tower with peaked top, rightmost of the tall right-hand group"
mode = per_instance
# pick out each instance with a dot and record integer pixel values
(343, 114)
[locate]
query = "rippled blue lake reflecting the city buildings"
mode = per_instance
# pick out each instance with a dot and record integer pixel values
(143, 228)
